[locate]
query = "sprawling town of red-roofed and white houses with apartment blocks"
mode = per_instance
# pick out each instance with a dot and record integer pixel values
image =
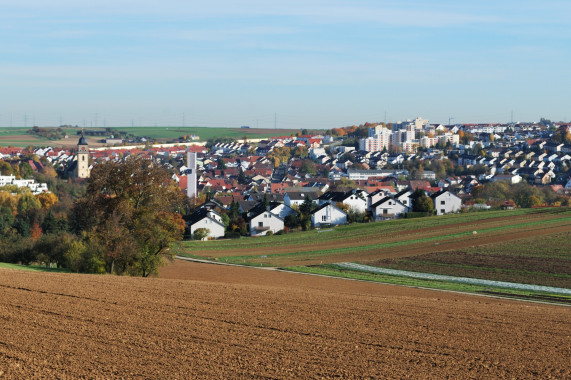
(367, 173)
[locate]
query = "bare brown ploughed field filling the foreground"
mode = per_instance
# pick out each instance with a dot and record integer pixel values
(207, 321)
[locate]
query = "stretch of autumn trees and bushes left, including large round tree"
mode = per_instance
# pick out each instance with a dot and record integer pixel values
(124, 223)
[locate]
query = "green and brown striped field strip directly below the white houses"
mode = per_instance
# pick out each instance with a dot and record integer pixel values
(376, 241)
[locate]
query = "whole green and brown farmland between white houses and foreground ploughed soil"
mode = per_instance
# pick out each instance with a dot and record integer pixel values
(525, 246)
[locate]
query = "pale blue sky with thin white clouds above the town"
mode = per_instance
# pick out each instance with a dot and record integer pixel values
(284, 64)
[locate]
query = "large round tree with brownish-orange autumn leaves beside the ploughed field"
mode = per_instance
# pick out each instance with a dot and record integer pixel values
(131, 212)
